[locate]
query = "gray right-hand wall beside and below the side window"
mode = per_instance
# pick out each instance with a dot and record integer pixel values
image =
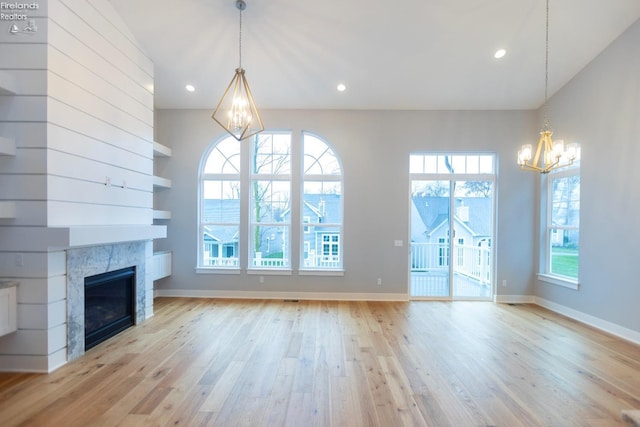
(601, 109)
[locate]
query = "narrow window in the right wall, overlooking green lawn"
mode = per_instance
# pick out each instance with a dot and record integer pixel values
(562, 227)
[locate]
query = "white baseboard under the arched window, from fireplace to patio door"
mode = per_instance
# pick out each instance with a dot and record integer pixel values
(313, 296)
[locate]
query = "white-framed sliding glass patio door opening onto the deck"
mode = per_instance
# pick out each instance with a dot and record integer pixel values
(451, 234)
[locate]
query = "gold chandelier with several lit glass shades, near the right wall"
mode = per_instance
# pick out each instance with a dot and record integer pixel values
(549, 154)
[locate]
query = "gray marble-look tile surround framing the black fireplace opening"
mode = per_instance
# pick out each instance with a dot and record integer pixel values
(88, 261)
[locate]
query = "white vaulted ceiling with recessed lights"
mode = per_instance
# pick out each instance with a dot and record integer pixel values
(391, 54)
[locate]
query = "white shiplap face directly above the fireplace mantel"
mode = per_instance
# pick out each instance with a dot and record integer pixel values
(100, 115)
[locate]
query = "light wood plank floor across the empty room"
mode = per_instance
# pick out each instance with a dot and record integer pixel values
(271, 363)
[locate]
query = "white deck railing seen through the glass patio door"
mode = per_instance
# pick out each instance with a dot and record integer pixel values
(471, 261)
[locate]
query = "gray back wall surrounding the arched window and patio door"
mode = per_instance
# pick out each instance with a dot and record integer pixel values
(374, 147)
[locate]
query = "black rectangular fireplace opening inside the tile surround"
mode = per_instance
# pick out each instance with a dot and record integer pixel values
(108, 305)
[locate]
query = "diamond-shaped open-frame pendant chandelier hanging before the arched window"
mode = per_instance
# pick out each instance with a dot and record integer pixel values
(237, 112)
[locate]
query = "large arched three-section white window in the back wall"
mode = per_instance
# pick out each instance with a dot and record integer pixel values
(248, 210)
